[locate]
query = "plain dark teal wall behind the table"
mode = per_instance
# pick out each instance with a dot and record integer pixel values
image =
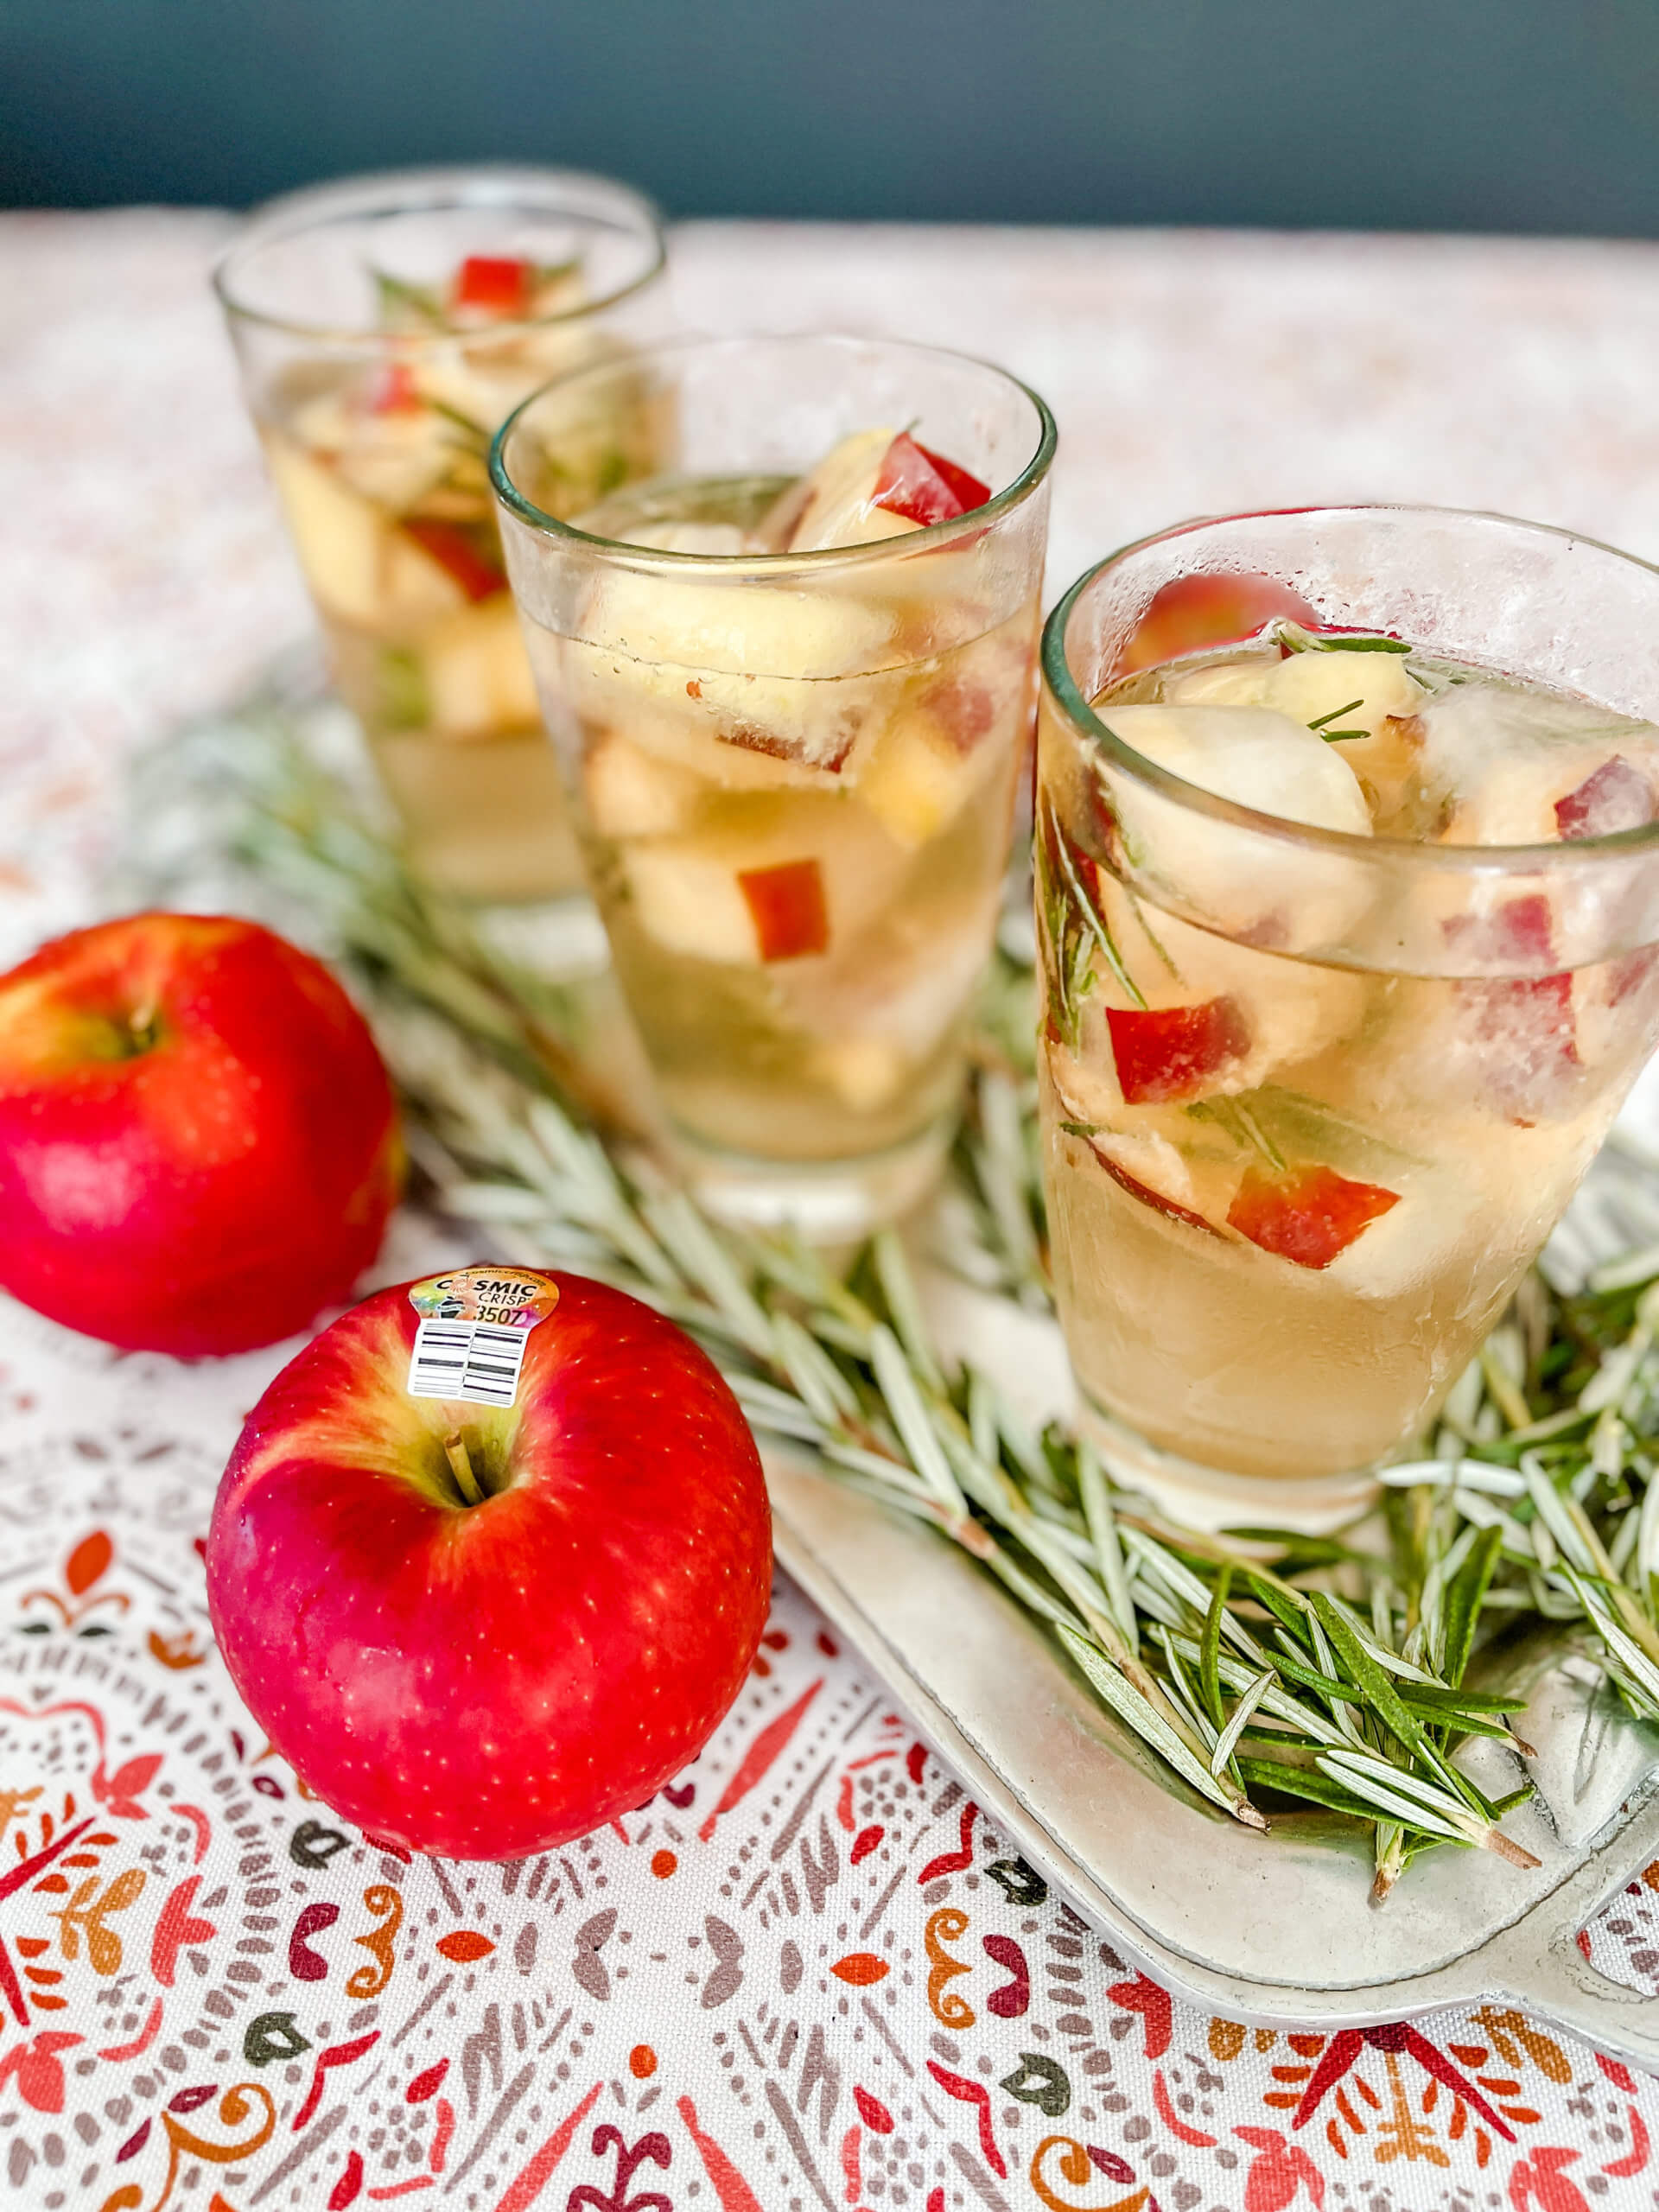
(1468, 114)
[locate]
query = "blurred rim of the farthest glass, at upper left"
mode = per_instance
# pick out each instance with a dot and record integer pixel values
(406, 191)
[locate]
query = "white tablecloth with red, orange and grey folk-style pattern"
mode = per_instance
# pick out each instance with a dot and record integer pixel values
(808, 1974)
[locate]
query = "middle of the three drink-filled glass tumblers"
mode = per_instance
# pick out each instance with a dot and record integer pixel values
(793, 771)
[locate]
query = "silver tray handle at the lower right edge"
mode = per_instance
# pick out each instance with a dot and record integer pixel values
(1545, 1972)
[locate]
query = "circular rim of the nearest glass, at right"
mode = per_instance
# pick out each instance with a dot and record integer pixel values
(1348, 844)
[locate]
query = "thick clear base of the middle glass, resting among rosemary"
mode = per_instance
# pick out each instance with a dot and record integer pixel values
(828, 1202)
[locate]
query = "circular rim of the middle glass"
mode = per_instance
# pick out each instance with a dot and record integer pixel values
(775, 565)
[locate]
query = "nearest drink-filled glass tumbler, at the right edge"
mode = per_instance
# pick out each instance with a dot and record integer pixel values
(1313, 1098)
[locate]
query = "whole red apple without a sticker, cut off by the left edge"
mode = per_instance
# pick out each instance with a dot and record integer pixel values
(198, 1140)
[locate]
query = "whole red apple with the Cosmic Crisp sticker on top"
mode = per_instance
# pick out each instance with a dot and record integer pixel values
(481, 1631)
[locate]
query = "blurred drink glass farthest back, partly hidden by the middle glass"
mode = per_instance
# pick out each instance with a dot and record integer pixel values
(386, 326)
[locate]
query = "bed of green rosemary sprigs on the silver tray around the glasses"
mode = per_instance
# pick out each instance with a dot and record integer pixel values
(1266, 1669)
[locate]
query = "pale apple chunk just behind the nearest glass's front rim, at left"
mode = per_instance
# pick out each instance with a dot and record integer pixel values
(1251, 755)
